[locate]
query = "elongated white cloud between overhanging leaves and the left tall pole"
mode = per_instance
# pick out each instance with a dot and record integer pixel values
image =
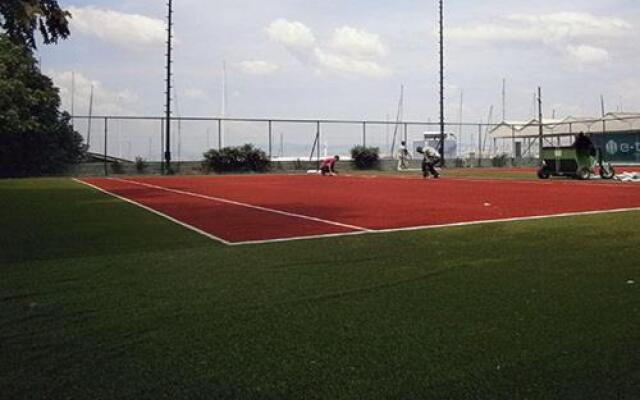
(131, 31)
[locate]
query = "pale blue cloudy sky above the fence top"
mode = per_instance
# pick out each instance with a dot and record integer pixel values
(347, 59)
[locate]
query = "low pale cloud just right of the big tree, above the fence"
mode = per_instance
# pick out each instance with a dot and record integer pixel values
(106, 101)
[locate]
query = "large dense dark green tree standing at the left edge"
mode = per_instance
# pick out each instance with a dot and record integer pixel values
(35, 138)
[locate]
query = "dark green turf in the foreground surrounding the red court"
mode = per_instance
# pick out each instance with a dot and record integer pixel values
(100, 299)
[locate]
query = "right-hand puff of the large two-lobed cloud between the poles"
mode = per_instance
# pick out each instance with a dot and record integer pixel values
(357, 43)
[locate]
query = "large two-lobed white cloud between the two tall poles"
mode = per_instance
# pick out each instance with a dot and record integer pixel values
(352, 51)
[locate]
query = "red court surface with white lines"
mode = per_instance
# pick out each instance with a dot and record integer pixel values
(253, 209)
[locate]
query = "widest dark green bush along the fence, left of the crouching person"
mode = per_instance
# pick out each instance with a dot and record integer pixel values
(236, 159)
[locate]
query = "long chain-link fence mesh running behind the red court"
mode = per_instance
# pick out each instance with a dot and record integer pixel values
(130, 137)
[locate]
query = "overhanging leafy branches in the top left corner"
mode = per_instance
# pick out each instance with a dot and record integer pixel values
(21, 18)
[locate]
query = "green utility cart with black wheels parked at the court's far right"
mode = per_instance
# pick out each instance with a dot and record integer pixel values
(574, 162)
